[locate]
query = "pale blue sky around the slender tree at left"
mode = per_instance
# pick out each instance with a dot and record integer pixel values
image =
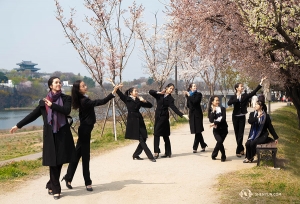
(30, 32)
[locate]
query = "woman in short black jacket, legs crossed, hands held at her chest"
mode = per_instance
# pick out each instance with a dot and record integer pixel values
(217, 117)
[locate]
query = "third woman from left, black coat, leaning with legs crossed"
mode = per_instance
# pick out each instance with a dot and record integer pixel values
(135, 127)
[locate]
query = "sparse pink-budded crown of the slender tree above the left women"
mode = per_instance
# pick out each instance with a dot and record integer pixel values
(106, 47)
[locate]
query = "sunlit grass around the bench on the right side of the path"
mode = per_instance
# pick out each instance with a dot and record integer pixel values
(269, 185)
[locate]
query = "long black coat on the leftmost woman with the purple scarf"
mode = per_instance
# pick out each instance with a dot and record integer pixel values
(59, 148)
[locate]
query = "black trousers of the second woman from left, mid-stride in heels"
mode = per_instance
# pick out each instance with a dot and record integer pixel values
(82, 151)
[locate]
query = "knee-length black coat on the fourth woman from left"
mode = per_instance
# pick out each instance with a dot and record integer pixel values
(162, 125)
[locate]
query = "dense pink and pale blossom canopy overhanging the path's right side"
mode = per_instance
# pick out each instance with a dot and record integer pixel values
(257, 37)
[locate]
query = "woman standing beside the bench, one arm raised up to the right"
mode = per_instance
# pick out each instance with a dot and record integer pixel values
(239, 102)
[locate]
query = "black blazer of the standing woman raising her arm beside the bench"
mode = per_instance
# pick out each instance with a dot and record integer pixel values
(240, 107)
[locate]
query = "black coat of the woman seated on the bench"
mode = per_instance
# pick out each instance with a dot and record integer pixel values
(267, 126)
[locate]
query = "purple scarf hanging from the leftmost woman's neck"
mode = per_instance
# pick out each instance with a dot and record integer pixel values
(54, 118)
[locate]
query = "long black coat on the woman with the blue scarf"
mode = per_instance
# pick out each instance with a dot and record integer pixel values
(195, 113)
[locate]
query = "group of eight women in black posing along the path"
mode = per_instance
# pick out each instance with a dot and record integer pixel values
(58, 143)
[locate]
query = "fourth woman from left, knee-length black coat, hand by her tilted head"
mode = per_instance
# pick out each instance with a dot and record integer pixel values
(164, 100)
